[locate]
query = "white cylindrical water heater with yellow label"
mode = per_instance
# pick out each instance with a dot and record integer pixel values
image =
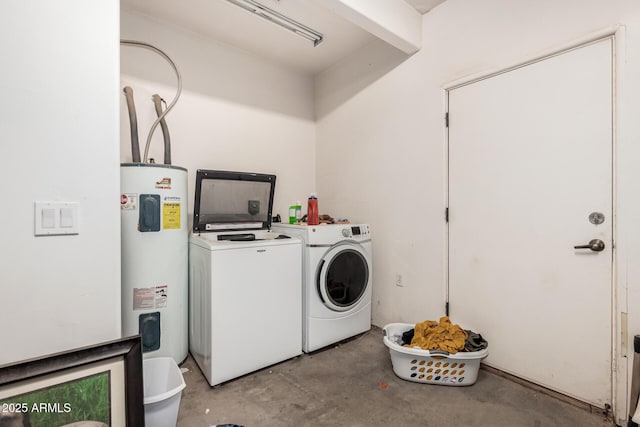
(155, 257)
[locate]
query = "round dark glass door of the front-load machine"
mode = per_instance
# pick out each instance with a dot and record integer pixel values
(343, 276)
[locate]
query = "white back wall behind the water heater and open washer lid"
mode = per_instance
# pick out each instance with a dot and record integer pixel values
(237, 111)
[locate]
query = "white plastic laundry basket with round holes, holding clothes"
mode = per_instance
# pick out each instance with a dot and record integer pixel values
(431, 367)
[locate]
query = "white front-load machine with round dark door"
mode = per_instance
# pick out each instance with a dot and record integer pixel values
(337, 281)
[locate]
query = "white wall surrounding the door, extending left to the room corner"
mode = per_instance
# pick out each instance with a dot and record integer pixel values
(395, 126)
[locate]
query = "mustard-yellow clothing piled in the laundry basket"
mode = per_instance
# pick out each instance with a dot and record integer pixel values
(443, 335)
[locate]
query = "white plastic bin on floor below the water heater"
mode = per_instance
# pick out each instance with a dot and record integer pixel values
(163, 384)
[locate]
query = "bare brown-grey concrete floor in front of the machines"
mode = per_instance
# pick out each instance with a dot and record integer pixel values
(352, 384)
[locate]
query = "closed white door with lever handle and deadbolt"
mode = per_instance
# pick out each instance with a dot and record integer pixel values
(530, 177)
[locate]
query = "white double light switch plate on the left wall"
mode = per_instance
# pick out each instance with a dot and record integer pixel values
(56, 218)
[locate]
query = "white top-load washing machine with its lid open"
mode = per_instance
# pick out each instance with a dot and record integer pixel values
(244, 280)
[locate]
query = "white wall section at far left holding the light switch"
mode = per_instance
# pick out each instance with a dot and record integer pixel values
(59, 127)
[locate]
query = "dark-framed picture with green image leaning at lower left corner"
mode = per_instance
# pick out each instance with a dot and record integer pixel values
(100, 384)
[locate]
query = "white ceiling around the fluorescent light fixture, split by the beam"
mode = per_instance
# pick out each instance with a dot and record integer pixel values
(229, 24)
